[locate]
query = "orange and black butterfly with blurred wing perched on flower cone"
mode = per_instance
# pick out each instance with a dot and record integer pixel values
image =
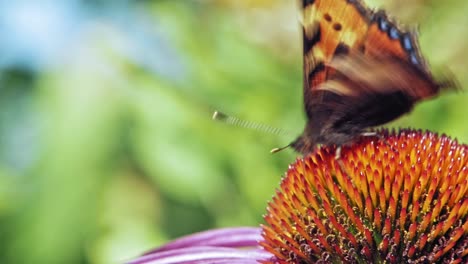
(360, 71)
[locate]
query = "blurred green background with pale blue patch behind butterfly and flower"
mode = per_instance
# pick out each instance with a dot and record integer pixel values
(107, 148)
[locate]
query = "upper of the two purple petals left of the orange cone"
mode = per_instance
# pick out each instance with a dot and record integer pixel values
(223, 237)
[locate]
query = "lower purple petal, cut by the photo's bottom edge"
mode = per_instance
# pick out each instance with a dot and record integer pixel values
(204, 255)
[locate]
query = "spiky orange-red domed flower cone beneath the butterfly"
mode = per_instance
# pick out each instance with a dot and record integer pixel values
(400, 198)
